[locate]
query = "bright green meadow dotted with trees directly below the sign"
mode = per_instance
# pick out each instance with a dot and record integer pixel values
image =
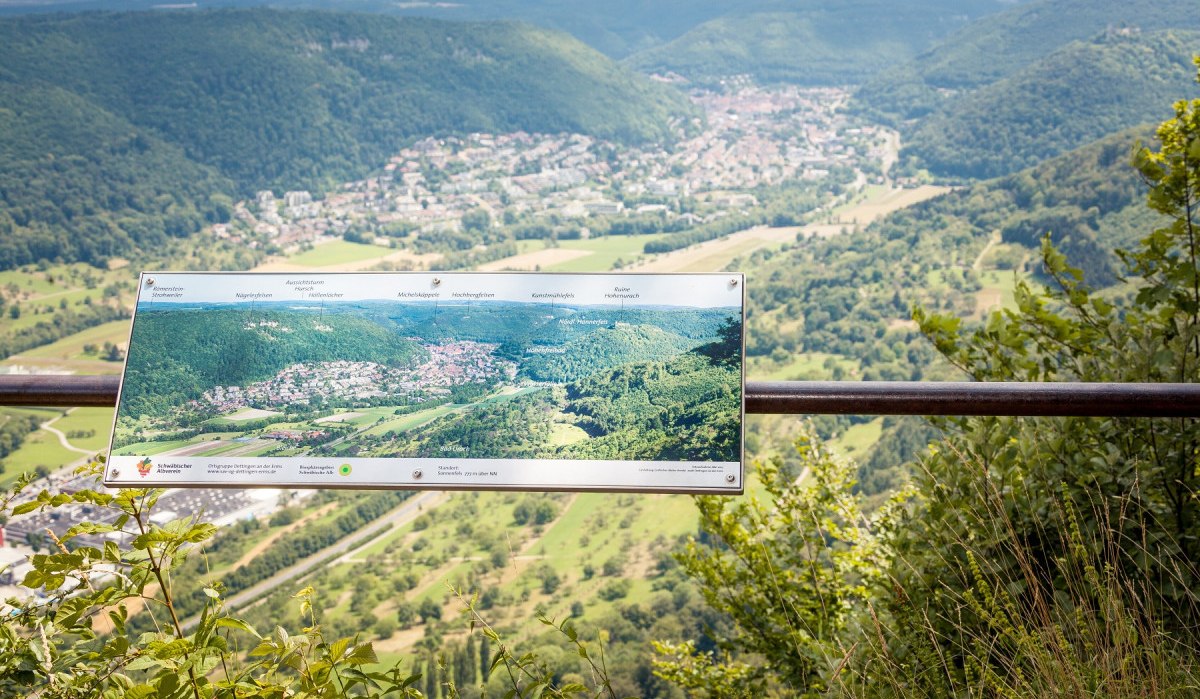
(529, 552)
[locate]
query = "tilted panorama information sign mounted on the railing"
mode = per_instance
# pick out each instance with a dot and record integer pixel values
(434, 381)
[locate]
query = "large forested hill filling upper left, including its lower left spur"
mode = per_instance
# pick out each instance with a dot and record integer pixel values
(118, 128)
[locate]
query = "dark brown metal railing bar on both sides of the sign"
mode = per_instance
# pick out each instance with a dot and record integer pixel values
(867, 398)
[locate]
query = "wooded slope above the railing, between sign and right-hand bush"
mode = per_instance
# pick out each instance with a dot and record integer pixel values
(845, 290)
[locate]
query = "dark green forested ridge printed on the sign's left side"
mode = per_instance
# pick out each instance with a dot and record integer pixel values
(179, 355)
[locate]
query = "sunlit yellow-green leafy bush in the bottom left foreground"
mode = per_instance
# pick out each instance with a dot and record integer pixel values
(52, 649)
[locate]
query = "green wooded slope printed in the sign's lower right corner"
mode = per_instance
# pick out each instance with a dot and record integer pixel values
(686, 409)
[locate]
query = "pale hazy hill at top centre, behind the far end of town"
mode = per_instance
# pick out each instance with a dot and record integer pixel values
(812, 43)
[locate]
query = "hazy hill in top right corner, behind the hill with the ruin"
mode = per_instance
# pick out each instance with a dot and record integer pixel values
(1003, 45)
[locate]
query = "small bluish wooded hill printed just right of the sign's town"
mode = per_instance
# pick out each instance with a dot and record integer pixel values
(602, 350)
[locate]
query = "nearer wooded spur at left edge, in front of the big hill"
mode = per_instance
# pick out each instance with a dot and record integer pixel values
(79, 182)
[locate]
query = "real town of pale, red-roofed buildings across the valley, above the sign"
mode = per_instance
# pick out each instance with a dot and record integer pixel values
(751, 136)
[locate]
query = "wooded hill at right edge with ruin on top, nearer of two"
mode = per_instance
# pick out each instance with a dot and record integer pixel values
(1069, 99)
